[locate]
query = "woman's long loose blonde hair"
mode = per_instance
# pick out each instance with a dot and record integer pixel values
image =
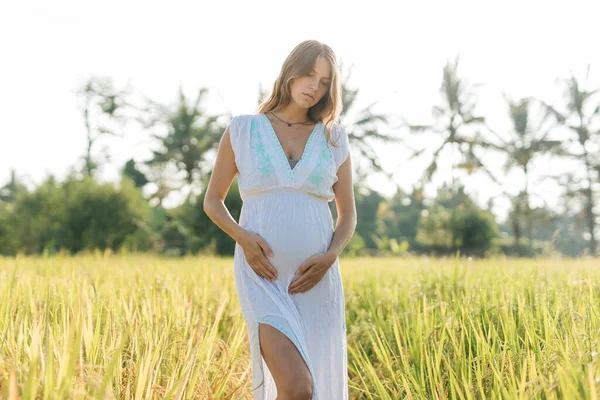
(298, 63)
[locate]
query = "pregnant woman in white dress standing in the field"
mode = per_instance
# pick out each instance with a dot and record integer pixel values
(292, 159)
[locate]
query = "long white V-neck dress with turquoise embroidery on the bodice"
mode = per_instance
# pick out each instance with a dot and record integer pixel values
(288, 207)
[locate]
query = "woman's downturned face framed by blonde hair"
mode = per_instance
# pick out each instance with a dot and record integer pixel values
(308, 90)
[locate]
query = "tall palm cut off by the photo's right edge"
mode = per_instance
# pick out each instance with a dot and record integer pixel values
(578, 114)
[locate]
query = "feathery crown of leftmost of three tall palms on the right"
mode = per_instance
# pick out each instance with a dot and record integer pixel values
(456, 123)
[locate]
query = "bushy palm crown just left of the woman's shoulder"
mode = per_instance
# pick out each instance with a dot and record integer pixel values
(191, 135)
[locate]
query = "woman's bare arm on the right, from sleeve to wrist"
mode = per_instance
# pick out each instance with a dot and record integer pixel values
(346, 209)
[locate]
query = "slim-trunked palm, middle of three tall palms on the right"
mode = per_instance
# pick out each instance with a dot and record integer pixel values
(524, 144)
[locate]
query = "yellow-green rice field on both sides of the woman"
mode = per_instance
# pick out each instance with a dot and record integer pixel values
(103, 326)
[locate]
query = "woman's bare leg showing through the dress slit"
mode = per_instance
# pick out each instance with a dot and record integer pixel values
(290, 372)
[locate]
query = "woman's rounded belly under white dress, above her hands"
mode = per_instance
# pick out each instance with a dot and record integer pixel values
(295, 224)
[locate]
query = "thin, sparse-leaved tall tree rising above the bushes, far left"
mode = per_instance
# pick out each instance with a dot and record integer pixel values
(104, 113)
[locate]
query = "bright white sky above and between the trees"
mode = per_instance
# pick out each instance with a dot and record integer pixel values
(398, 50)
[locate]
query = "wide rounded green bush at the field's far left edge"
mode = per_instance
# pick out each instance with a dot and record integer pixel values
(78, 215)
